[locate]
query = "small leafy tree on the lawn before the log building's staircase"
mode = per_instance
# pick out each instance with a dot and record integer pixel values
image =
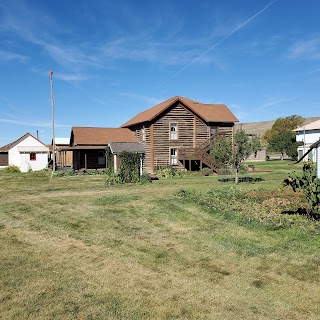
(227, 153)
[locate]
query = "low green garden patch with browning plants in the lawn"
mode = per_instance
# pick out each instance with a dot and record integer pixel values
(265, 208)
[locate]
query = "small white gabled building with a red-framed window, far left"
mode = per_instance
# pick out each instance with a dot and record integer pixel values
(28, 153)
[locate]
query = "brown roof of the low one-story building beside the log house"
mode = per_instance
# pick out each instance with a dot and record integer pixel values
(101, 136)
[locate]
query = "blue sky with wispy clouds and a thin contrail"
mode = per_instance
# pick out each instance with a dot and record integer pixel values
(114, 59)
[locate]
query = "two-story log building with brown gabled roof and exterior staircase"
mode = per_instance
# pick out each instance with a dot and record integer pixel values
(179, 132)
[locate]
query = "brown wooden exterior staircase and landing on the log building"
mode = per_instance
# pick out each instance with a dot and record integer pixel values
(201, 153)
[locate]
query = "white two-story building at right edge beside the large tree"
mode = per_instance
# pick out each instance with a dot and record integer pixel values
(308, 134)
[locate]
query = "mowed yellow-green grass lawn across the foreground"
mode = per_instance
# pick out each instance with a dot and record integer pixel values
(81, 249)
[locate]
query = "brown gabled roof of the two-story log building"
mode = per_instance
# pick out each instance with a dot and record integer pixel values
(207, 112)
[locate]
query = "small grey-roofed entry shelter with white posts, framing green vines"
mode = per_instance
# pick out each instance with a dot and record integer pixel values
(118, 147)
